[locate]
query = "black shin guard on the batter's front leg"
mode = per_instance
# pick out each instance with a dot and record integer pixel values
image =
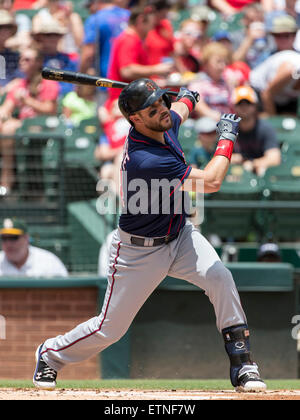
(237, 346)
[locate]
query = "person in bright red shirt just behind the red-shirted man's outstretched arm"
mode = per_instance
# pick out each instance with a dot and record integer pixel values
(160, 40)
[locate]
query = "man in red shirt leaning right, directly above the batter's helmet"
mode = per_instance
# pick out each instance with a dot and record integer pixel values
(129, 58)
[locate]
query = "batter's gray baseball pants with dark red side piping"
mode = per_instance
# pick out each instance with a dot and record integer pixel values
(134, 273)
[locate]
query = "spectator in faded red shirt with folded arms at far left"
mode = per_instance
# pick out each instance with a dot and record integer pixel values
(32, 96)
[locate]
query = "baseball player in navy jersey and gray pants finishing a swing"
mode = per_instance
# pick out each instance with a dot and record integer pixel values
(148, 246)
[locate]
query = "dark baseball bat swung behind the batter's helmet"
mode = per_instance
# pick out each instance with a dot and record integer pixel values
(84, 79)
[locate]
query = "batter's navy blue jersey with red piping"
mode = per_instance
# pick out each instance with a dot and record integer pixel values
(152, 174)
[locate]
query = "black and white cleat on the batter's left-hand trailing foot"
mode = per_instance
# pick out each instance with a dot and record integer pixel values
(44, 376)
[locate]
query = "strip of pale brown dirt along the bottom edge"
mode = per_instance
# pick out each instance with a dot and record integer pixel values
(131, 394)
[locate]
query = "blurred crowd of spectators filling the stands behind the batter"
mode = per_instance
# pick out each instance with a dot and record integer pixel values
(242, 56)
